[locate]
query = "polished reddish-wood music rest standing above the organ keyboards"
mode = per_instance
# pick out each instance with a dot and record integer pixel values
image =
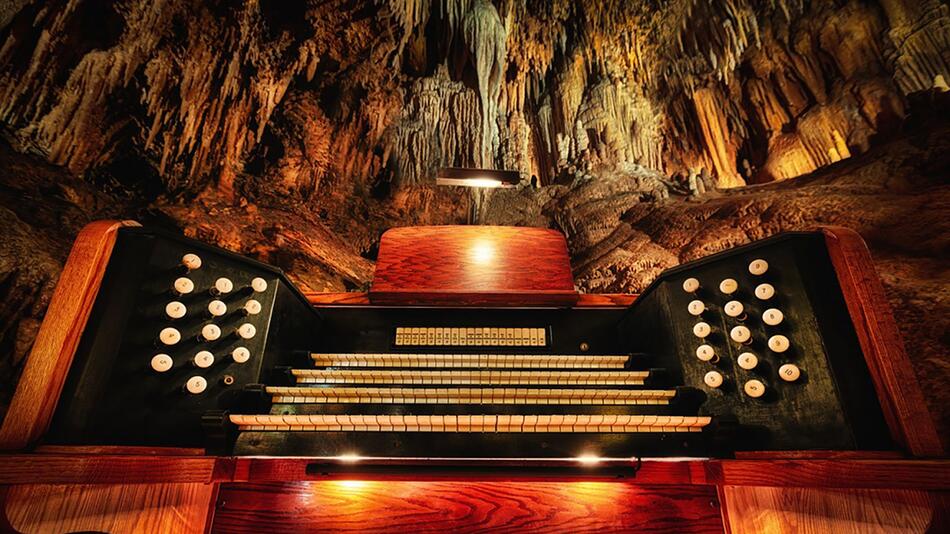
(473, 265)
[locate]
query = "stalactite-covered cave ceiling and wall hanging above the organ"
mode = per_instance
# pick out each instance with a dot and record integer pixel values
(229, 98)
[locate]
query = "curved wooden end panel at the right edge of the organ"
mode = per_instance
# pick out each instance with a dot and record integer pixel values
(901, 399)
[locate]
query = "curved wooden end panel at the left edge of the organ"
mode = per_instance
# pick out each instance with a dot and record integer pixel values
(46, 368)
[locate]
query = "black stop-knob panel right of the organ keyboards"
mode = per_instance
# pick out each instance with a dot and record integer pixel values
(832, 406)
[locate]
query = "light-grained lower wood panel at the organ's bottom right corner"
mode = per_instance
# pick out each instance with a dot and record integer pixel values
(820, 511)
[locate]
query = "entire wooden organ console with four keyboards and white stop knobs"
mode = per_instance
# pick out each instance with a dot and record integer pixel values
(178, 387)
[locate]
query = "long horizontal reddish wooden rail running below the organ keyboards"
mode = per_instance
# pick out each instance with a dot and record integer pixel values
(64, 468)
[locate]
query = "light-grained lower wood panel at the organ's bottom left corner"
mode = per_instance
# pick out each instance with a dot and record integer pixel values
(129, 508)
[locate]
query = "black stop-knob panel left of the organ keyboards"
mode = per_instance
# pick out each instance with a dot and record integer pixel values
(113, 396)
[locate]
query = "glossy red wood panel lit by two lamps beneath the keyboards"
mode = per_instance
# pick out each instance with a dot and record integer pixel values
(368, 506)
